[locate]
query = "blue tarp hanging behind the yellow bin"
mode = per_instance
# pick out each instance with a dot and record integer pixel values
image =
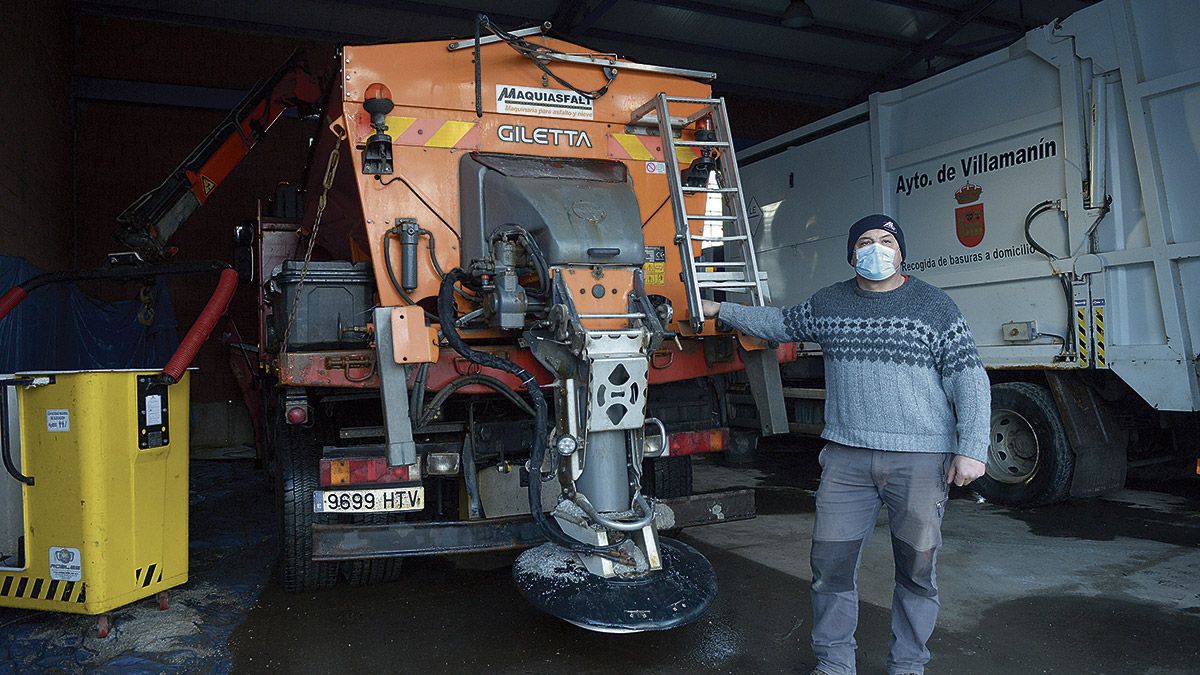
(59, 328)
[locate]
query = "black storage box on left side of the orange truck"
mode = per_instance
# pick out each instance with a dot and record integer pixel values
(334, 304)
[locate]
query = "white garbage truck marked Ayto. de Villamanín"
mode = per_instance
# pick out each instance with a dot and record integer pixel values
(1049, 188)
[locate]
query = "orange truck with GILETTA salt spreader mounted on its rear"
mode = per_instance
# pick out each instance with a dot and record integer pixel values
(484, 332)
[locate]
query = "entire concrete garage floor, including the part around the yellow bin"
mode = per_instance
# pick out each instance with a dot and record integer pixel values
(1105, 586)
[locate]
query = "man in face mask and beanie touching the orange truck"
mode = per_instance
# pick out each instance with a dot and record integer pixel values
(908, 414)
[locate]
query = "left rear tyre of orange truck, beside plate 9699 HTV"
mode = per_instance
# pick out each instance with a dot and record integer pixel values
(297, 464)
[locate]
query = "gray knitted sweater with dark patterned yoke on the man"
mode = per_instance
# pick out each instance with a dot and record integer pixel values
(902, 368)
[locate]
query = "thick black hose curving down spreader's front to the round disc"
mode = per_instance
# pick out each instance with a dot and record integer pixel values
(447, 315)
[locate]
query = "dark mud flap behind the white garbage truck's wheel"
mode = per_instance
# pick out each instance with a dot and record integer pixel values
(1096, 439)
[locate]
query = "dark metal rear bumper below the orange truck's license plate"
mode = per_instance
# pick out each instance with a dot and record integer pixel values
(353, 542)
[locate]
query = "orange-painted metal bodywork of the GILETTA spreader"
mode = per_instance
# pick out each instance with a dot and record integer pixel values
(435, 123)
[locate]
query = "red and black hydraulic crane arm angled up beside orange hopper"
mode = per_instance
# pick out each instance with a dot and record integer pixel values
(149, 223)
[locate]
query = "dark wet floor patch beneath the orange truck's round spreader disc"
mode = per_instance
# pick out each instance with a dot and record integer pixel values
(472, 619)
